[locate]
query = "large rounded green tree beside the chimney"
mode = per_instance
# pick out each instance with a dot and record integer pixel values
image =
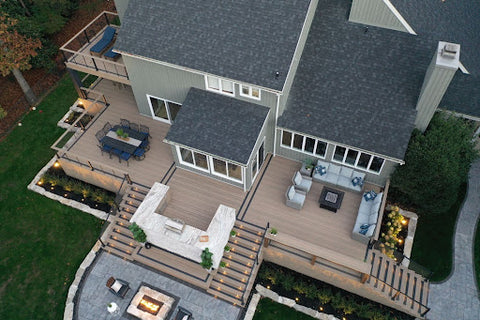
(436, 164)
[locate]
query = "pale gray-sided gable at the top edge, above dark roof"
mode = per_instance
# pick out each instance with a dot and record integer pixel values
(375, 13)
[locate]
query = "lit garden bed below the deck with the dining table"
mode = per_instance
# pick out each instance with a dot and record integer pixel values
(55, 180)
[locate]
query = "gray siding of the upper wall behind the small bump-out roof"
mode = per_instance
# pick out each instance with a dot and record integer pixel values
(172, 84)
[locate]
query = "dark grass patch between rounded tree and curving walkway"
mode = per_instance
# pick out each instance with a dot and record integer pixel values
(432, 246)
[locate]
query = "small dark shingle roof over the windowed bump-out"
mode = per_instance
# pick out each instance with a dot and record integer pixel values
(218, 125)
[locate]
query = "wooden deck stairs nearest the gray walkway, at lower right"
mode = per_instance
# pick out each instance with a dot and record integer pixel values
(408, 289)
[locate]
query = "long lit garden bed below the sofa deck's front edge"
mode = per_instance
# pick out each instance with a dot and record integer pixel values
(321, 296)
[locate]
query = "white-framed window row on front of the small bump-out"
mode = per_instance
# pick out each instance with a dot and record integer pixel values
(210, 164)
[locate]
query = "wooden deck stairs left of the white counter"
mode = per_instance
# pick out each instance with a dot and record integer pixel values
(120, 240)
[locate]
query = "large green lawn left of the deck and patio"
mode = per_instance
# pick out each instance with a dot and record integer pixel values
(43, 242)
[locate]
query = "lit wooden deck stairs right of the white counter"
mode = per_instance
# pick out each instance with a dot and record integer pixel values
(234, 282)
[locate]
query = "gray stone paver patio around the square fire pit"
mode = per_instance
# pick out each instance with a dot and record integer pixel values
(94, 295)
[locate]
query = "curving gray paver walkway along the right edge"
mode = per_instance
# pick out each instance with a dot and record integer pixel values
(457, 298)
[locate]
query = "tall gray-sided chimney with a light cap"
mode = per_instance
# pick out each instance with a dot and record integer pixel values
(444, 64)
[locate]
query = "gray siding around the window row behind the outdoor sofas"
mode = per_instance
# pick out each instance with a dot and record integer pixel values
(378, 179)
